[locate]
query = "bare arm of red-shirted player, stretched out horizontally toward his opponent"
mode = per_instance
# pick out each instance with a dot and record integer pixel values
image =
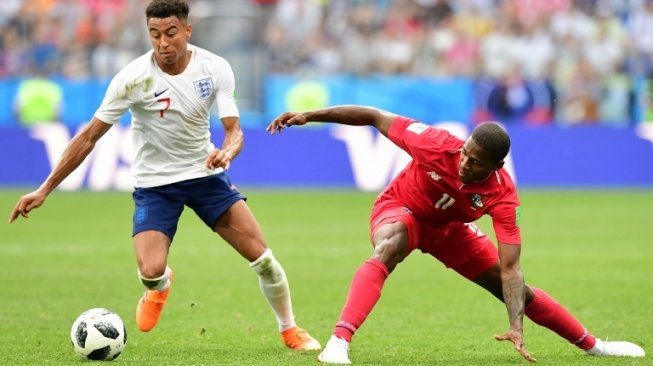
(352, 115)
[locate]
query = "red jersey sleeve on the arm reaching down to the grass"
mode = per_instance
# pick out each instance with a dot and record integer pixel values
(505, 214)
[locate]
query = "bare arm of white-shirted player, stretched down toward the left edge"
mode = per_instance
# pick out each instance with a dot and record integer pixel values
(77, 150)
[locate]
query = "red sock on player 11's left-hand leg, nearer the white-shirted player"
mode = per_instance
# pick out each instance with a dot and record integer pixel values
(364, 292)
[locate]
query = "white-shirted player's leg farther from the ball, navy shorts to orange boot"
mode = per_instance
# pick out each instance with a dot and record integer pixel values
(219, 204)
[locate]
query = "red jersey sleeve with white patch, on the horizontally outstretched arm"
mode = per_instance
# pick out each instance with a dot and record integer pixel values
(420, 140)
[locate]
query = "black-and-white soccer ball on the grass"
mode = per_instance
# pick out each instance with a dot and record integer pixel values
(98, 334)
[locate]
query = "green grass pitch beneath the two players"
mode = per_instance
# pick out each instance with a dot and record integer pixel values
(591, 250)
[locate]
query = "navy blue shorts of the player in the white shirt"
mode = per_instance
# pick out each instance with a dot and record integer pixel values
(159, 208)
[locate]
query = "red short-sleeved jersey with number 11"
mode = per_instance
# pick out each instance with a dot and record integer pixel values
(431, 188)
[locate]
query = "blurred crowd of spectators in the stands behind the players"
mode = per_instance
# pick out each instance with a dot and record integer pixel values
(545, 39)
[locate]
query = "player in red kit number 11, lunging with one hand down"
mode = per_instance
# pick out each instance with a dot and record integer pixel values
(431, 206)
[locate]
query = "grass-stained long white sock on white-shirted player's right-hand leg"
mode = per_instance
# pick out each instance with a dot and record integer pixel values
(274, 285)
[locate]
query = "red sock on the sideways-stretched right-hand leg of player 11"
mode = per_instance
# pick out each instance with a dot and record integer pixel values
(547, 312)
